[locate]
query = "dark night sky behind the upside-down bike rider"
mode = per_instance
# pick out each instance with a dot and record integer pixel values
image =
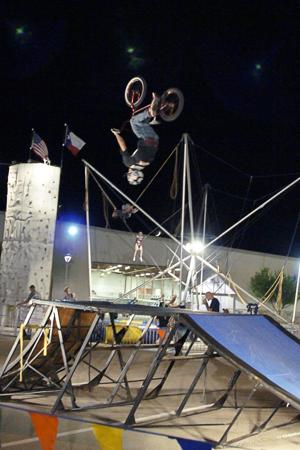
(237, 63)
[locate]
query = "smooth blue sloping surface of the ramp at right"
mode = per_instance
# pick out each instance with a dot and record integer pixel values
(256, 344)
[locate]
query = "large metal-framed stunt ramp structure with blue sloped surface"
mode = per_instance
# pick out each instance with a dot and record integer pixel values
(254, 345)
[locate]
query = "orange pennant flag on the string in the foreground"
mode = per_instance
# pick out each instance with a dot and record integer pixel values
(46, 429)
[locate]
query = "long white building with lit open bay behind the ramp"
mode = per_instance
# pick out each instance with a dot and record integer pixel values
(113, 271)
